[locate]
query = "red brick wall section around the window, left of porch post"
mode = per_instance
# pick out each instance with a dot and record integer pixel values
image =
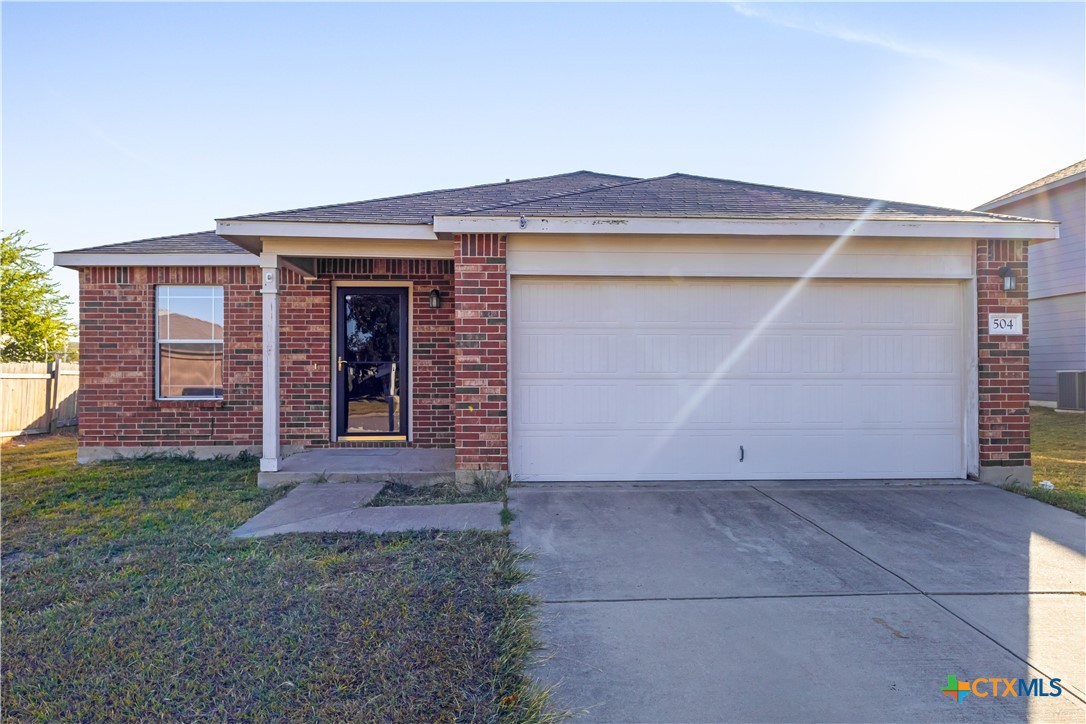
(118, 405)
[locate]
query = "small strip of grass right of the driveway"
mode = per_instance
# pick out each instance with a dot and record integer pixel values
(1059, 456)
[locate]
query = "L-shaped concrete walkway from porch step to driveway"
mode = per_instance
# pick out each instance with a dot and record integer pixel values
(340, 509)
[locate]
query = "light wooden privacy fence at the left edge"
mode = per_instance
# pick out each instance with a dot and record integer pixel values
(37, 398)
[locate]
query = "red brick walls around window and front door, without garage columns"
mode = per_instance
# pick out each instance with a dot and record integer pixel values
(118, 405)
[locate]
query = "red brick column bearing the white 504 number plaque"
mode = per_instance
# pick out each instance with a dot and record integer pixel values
(1004, 365)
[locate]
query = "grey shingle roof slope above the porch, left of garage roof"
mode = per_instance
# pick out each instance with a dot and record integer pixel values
(422, 208)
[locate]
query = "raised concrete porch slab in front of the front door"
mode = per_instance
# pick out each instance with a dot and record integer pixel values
(411, 466)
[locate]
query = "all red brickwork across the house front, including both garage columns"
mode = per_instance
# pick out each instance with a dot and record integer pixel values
(459, 357)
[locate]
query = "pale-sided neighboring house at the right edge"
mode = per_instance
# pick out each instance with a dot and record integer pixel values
(1057, 276)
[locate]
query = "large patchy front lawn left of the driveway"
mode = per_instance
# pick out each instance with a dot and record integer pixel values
(125, 600)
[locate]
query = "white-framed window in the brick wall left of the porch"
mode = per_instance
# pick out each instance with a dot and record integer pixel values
(190, 342)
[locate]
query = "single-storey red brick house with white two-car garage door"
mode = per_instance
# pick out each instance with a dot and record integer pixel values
(577, 327)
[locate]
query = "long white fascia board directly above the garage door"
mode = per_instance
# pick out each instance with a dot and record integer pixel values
(748, 227)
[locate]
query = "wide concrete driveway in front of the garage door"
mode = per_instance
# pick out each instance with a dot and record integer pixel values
(804, 602)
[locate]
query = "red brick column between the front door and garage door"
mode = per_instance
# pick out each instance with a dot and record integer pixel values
(482, 345)
